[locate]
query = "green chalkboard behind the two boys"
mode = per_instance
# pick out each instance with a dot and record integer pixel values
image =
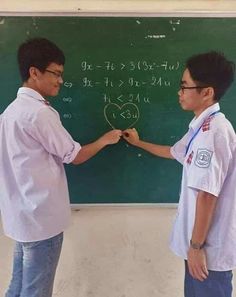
(121, 72)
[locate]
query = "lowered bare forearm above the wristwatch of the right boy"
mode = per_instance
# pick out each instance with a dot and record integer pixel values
(205, 209)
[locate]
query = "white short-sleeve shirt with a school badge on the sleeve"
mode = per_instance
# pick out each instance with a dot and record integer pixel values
(210, 166)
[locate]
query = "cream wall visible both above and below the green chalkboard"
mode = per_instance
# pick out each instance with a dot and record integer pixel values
(113, 252)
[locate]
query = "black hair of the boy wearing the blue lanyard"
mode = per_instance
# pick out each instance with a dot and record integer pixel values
(212, 69)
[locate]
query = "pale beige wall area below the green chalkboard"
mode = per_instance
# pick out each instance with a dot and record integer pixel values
(112, 252)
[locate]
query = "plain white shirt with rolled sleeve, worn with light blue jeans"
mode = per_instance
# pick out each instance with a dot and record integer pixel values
(34, 199)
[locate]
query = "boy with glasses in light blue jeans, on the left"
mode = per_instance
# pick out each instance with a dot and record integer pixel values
(34, 198)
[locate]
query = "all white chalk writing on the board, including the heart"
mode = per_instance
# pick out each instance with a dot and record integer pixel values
(123, 86)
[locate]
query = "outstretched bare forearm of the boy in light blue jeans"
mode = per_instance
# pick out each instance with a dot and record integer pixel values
(88, 151)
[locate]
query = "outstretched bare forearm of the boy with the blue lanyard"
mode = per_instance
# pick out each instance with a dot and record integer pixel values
(155, 149)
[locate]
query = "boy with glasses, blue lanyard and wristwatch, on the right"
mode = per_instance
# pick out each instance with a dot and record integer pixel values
(204, 230)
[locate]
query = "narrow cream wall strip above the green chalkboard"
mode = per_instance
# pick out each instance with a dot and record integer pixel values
(118, 5)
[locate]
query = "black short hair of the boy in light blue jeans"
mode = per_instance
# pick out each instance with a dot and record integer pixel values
(39, 53)
